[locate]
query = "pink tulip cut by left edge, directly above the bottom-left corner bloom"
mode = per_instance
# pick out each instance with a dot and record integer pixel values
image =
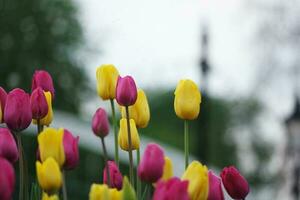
(8, 147)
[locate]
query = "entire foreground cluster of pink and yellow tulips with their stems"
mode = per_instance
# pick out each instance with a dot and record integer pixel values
(151, 177)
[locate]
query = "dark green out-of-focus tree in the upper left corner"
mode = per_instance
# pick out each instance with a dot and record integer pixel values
(42, 34)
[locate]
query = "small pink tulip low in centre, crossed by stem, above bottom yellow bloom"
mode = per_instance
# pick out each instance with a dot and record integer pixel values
(116, 179)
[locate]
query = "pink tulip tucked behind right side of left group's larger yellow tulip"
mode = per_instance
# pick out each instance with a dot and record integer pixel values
(71, 150)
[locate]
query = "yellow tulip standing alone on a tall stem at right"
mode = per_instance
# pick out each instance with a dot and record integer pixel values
(187, 100)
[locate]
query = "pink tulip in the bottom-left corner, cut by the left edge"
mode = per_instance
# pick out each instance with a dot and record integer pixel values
(7, 179)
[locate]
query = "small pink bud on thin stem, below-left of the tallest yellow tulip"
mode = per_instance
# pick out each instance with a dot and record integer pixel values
(100, 124)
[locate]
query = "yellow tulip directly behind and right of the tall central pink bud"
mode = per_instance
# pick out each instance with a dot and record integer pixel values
(139, 111)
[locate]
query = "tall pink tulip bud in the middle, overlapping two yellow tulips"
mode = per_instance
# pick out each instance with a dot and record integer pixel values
(126, 92)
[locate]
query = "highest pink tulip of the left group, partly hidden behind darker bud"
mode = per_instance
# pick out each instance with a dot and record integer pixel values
(42, 79)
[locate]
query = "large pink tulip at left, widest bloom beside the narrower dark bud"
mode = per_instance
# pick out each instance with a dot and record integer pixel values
(17, 112)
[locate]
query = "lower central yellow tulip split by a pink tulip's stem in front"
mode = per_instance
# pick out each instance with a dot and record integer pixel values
(123, 135)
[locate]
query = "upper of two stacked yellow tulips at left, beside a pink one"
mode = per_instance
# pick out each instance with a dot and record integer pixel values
(51, 145)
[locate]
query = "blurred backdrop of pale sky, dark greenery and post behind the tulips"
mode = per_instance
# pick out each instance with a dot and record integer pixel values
(244, 55)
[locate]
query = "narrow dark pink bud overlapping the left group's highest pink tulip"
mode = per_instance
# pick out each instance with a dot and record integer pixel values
(39, 106)
